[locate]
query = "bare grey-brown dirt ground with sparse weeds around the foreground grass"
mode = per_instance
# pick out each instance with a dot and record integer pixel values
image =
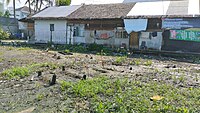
(24, 94)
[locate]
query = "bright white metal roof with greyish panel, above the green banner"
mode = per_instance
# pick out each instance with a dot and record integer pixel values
(165, 8)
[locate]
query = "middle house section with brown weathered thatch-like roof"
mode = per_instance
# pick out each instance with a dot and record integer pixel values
(100, 24)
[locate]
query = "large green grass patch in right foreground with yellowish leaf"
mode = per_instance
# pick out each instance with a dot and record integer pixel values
(123, 96)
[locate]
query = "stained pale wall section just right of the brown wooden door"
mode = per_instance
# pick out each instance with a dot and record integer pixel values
(151, 42)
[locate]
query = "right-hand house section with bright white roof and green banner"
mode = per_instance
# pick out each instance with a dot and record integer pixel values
(165, 25)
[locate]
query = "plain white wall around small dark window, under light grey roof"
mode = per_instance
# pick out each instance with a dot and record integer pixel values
(42, 31)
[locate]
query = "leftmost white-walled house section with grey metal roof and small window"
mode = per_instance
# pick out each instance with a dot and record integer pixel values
(51, 24)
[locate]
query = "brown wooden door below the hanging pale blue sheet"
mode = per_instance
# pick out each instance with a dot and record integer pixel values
(134, 40)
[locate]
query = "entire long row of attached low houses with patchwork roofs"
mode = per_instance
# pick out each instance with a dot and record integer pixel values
(171, 25)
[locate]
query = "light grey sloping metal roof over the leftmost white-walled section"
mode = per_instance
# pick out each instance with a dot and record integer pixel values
(56, 12)
